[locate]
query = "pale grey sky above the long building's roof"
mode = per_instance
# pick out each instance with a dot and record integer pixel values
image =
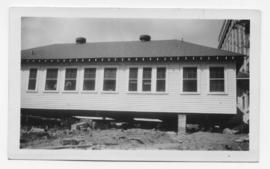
(45, 31)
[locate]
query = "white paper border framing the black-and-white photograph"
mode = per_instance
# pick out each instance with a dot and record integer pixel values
(14, 151)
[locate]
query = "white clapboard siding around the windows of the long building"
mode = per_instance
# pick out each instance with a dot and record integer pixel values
(173, 100)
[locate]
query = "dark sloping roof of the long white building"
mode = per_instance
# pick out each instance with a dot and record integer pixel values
(128, 49)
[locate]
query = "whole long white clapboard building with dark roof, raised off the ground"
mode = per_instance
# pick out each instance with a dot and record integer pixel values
(164, 79)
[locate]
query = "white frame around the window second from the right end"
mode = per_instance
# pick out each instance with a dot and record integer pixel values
(198, 79)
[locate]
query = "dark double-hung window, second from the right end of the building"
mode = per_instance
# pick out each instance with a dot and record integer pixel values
(189, 79)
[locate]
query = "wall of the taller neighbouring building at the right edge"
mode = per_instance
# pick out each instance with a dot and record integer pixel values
(234, 37)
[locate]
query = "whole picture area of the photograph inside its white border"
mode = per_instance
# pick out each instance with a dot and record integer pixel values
(164, 84)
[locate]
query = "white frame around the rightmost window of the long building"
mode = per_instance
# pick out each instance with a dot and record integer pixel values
(225, 92)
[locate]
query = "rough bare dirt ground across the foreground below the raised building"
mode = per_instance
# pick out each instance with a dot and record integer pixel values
(132, 139)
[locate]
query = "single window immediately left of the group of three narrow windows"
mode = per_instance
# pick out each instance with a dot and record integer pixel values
(109, 79)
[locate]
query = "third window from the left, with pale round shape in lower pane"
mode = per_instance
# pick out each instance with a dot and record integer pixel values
(70, 79)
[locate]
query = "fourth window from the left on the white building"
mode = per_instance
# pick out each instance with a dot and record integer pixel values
(89, 79)
